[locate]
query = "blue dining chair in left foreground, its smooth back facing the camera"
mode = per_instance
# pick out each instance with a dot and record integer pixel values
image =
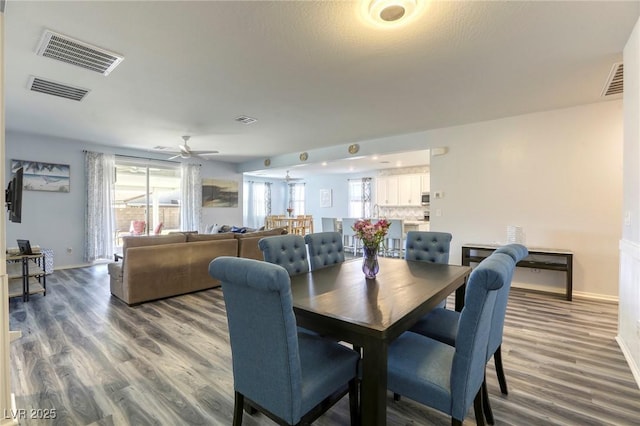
(289, 376)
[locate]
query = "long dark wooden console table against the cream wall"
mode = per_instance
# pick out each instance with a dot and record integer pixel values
(555, 260)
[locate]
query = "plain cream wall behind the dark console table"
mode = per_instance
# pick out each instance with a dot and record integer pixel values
(557, 174)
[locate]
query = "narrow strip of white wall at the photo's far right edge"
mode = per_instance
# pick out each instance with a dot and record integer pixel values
(629, 305)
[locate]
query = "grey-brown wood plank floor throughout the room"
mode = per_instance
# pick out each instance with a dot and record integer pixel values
(99, 362)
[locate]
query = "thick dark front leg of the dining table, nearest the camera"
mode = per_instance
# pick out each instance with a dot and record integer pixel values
(373, 390)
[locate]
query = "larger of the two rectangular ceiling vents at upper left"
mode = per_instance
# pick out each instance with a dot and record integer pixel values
(75, 52)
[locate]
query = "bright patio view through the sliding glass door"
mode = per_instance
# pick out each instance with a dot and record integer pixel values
(147, 198)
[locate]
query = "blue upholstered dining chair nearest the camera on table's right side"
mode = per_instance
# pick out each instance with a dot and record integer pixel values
(449, 378)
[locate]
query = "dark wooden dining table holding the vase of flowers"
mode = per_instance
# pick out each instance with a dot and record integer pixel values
(339, 302)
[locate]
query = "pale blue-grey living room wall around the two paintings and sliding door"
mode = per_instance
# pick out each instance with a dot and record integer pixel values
(56, 220)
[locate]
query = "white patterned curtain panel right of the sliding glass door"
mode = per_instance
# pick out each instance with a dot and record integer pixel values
(191, 198)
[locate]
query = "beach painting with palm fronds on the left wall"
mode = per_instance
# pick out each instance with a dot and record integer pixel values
(39, 176)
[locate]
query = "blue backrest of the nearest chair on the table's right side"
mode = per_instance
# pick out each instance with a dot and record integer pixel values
(474, 327)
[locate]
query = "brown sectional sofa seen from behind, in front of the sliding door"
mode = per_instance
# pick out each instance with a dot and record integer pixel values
(159, 266)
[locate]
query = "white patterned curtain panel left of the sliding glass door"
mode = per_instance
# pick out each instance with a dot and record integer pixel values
(99, 216)
